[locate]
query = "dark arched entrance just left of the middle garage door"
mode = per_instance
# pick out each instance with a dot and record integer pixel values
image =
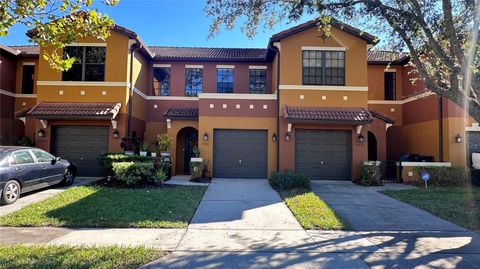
(187, 140)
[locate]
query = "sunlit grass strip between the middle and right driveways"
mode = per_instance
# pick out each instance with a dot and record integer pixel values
(311, 211)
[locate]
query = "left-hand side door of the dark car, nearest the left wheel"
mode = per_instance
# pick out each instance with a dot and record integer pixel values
(23, 162)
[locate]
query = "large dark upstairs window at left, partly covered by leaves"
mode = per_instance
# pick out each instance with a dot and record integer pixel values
(89, 63)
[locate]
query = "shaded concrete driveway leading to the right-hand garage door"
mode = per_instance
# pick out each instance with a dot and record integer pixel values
(368, 210)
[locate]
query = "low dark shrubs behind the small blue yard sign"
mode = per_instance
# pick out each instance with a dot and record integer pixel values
(445, 176)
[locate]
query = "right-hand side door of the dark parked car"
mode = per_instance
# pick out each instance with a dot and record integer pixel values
(51, 173)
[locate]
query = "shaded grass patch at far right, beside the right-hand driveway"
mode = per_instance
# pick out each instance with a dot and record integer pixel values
(460, 205)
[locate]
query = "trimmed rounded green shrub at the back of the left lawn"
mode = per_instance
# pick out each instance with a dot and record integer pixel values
(133, 173)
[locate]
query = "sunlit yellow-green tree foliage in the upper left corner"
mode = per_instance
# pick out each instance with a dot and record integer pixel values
(55, 23)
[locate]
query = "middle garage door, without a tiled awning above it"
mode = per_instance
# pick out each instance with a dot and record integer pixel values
(240, 154)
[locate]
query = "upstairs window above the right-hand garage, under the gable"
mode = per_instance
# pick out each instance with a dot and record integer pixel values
(323, 67)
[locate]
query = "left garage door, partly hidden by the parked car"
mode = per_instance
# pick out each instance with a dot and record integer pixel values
(81, 145)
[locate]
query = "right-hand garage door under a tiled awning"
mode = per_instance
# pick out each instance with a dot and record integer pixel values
(323, 154)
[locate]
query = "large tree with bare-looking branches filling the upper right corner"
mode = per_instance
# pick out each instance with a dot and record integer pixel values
(441, 36)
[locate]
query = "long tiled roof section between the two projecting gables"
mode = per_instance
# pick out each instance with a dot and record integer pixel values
(219, 54)
